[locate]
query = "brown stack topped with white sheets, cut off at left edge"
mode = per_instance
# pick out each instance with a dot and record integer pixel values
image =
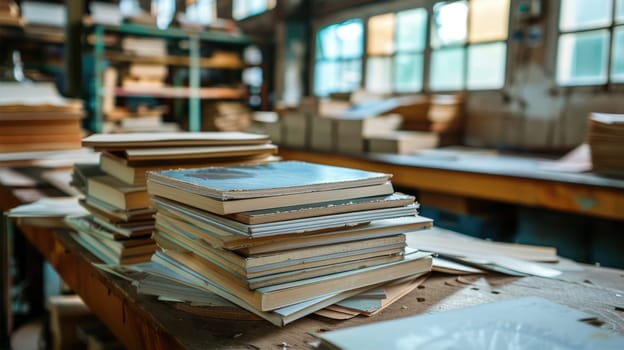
(34, 117)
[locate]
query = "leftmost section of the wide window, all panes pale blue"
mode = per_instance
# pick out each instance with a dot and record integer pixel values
(338, 59)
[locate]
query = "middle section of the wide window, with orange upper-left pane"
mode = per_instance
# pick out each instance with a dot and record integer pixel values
(395, 51)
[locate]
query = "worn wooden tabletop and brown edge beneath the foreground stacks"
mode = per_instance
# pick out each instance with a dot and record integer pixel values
(141, 321)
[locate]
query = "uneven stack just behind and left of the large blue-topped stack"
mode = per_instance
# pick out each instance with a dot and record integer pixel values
(119, 227)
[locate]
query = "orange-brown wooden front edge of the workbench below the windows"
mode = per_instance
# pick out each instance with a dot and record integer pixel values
(604, 202)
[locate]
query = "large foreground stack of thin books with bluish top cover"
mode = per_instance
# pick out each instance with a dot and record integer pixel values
(284, 239)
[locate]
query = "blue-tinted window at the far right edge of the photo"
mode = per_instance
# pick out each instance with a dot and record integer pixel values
(590, 49)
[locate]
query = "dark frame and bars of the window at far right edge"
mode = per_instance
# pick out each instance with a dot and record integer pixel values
(610, 45)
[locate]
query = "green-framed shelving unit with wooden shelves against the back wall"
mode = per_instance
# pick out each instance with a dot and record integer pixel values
(194, 91)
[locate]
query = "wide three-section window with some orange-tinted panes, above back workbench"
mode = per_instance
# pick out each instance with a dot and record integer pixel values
(462, 44)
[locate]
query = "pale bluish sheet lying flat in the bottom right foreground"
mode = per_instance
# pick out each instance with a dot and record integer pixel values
(522, 323)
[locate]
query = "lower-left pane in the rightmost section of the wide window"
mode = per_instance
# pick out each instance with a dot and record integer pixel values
(447, 69)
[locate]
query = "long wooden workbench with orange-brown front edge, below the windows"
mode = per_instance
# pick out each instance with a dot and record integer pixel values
(515, 180)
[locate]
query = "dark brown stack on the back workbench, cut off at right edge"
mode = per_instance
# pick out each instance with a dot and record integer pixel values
(605, 138)
